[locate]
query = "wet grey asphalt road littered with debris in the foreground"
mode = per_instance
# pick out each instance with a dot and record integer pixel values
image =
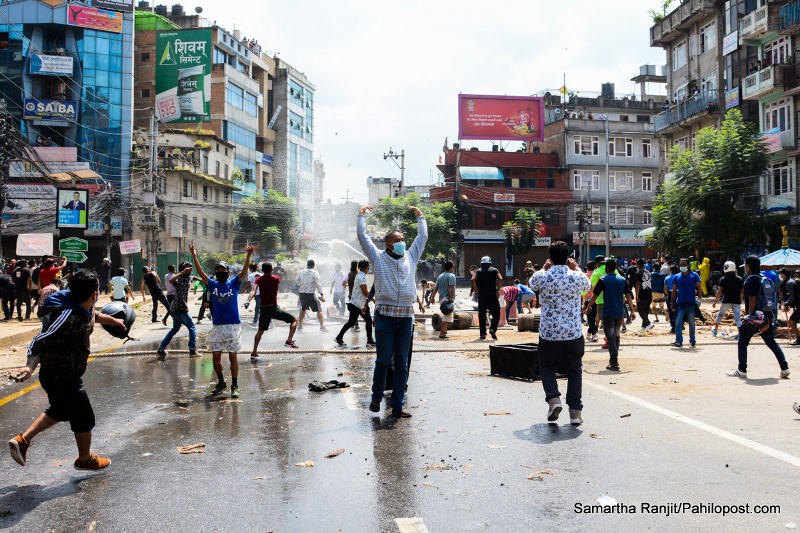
(454, 466)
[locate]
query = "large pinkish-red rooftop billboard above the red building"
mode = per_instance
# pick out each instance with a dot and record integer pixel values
(500, 118)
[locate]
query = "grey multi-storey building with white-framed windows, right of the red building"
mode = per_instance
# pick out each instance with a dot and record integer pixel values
(607, 146)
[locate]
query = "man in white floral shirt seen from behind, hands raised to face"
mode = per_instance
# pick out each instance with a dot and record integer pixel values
(559, 285)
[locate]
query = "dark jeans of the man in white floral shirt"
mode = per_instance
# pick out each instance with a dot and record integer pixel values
(571, 353)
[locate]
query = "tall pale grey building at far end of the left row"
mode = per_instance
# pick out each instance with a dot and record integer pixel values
(292, 107)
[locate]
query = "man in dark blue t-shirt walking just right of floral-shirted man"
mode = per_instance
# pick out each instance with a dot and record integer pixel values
(615, 290)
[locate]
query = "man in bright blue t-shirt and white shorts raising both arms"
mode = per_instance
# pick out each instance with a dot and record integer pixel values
(226, 330)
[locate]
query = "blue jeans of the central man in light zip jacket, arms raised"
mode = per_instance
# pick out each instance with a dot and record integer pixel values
(393, 336)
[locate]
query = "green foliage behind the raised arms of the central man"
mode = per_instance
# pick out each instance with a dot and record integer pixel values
(393, 213)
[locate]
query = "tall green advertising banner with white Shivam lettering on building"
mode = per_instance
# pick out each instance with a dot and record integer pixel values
(183, 75)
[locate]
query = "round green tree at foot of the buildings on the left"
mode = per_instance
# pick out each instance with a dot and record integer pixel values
(265, 220)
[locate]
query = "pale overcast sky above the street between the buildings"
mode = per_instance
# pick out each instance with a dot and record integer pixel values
(387, 74)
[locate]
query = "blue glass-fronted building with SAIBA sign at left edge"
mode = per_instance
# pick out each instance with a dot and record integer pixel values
(66, 82)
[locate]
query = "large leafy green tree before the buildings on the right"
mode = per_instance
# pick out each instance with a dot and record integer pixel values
(714, 195)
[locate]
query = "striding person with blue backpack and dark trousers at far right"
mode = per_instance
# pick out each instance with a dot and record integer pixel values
(752, 290)
